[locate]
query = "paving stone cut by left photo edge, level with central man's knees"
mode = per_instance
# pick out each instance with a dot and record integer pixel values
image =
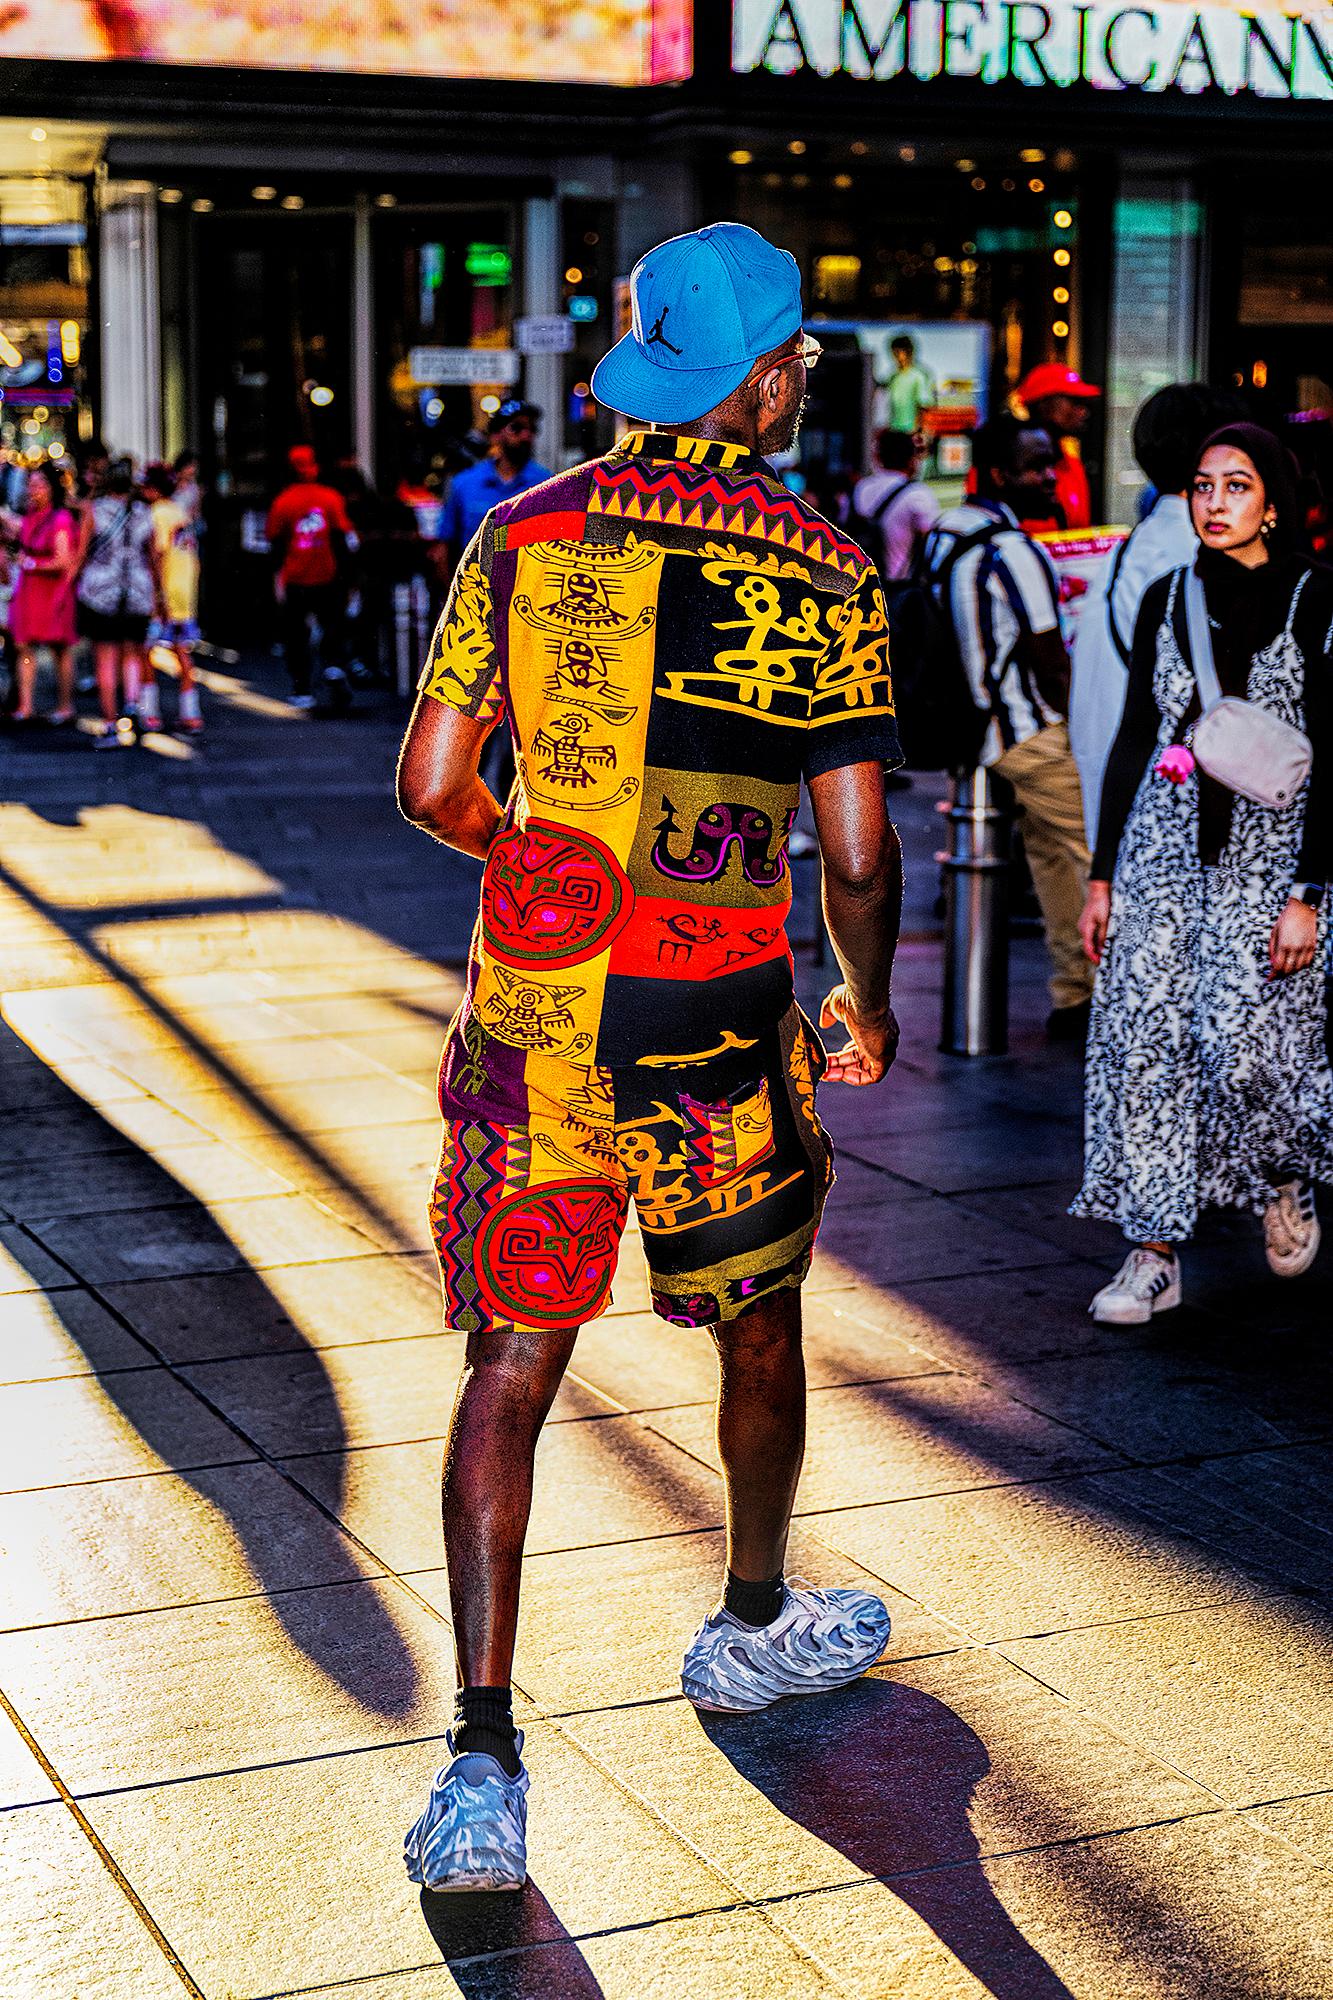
(107, 1427)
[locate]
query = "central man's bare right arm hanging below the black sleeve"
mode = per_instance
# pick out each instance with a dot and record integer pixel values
(864, 909)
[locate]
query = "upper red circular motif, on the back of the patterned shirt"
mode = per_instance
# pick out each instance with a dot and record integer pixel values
(553, 897)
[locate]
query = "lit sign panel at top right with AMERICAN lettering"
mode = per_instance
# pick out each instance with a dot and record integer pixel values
(1168, 45)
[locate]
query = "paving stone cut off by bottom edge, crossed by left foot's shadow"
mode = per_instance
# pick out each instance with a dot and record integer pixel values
(738, 1953)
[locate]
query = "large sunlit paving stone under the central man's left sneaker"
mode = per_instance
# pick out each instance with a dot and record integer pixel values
(595, 1859)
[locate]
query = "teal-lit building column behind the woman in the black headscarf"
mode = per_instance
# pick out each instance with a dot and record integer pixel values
(1158, 327)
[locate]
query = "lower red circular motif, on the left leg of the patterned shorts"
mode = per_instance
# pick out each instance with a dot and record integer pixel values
(545, 1257)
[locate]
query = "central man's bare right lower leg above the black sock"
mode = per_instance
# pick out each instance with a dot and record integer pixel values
(762, 1437)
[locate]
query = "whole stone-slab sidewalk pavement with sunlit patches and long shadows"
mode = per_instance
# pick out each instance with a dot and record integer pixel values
(1098, 1759)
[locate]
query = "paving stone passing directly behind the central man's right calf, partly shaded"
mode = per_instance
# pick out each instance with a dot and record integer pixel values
(904, 1439)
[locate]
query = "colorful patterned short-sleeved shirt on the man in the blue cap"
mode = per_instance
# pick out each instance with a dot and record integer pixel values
(678, 641)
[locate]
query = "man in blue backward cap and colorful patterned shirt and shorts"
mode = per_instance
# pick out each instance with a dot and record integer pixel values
(678, 643)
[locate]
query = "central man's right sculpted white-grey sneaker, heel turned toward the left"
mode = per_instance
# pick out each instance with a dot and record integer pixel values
(820, 1641)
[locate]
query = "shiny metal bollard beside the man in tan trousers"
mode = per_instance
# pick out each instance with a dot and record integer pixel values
(976, 1021)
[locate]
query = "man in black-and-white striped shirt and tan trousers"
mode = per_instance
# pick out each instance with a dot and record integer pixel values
(1004, 605)
